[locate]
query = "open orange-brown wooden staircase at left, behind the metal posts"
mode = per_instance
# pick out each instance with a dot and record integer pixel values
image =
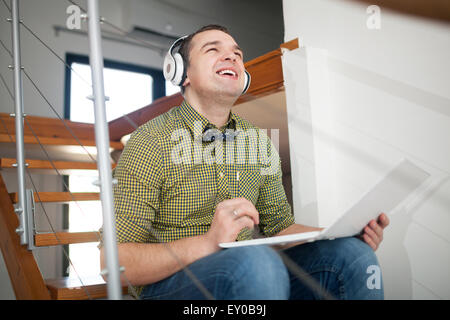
(58, 140)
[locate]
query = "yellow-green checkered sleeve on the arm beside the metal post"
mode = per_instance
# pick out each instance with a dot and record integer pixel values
(136, 195)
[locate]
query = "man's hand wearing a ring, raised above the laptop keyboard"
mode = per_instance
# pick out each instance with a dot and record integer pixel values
(230, 218)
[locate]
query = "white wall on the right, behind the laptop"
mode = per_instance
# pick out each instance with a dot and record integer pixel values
(389, 98)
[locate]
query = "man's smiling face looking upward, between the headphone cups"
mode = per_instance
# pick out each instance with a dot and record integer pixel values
(215, 65)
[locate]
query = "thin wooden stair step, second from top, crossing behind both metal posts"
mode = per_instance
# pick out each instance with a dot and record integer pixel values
(117, 145)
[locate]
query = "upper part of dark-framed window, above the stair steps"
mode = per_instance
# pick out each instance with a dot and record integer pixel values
(128, 87)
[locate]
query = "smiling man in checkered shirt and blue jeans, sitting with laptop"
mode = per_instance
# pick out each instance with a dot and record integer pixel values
(172, 211)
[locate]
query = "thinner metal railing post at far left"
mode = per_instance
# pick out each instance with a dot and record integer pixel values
(21, 209)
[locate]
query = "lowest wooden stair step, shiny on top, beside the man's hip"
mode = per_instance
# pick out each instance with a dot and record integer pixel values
(73, 289)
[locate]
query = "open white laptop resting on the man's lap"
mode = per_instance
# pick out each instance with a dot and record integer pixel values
(385, 196)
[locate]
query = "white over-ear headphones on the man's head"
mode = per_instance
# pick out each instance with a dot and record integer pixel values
(175, 72)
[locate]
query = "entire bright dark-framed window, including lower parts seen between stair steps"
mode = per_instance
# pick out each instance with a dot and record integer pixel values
(129, 87)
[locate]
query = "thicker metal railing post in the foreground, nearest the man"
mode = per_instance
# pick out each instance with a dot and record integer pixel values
(104, 164)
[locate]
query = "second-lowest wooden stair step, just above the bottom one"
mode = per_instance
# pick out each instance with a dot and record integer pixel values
(48, 239)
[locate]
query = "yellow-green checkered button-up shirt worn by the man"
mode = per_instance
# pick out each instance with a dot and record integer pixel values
(169, 181)
